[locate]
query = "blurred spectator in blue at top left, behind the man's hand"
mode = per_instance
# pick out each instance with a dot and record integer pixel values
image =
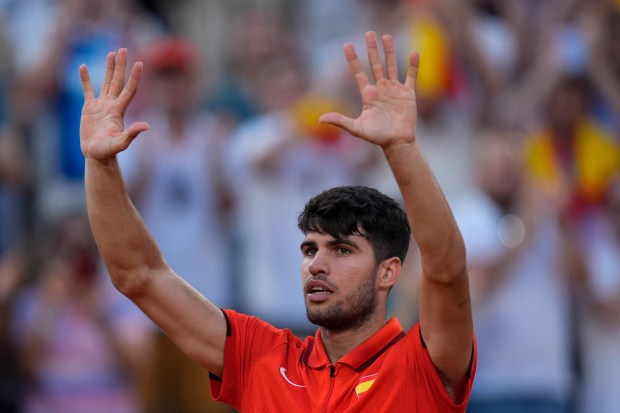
(81, 31)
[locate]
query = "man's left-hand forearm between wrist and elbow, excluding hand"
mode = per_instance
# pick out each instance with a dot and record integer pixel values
(123, 240)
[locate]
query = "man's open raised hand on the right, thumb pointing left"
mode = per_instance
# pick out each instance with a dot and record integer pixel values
(388, 107)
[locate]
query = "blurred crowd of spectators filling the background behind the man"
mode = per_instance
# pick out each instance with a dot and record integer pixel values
(518, 116)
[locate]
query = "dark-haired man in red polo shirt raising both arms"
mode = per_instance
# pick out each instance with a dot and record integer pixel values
(357, 361)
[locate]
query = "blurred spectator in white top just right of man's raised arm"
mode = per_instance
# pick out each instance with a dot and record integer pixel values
(519, 282)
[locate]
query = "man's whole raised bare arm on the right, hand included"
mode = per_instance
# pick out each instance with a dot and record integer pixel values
(388, 119)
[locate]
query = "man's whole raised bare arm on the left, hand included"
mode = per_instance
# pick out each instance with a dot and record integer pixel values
(134, 261)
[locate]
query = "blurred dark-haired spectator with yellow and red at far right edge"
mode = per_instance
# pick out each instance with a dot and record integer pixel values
(571, 148)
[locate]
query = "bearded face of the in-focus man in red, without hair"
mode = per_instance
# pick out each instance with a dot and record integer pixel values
(339, 277)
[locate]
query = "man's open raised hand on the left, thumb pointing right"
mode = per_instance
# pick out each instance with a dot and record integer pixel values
(102, 132)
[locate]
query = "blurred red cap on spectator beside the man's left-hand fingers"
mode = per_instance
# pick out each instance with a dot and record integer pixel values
(172, 53)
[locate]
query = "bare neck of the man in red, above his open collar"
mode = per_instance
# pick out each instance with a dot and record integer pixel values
(338, 343)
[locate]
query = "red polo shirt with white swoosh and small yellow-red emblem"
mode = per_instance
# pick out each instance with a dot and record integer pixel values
(270, 370)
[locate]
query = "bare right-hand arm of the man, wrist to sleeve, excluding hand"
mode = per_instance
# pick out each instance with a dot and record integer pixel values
(444, 304)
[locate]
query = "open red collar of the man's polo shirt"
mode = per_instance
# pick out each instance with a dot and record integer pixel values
(362, 355)
